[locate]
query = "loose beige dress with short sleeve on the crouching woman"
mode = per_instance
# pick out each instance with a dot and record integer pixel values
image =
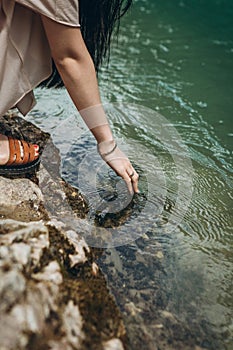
(25, 58)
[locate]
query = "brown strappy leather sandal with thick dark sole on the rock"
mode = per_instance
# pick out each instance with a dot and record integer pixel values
(23, 159)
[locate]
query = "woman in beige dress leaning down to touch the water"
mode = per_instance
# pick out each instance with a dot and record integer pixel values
(76, 35)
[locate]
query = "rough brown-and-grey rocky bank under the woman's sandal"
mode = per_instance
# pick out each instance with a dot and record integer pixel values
(52, 293)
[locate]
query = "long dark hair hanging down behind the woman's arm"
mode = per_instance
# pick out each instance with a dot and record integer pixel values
(98, 20)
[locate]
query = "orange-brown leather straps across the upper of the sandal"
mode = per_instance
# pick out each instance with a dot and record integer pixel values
(21, 152)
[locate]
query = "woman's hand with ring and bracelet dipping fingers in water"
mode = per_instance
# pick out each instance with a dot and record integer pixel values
(120, 163)
